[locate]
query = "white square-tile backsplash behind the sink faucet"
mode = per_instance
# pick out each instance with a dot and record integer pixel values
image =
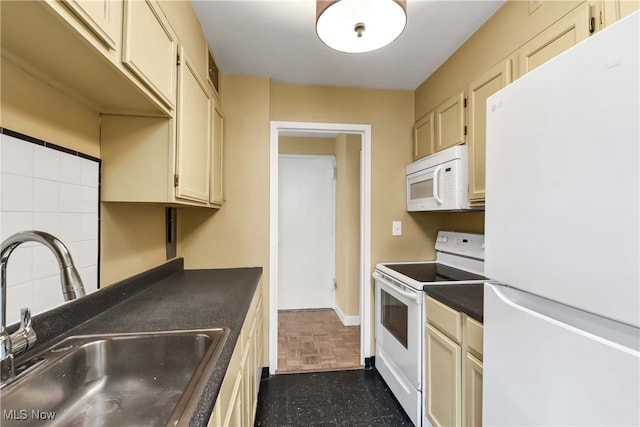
(48, 190)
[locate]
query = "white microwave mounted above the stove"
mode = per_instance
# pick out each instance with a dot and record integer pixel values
(439, 182)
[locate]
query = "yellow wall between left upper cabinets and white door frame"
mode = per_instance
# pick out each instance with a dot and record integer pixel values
(238, 234)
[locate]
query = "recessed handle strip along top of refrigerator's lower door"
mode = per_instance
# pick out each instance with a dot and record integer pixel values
(608, 332)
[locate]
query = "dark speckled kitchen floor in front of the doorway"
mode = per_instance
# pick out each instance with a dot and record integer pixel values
(343, 398)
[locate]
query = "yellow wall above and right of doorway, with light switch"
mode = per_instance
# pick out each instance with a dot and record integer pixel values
(390, 114)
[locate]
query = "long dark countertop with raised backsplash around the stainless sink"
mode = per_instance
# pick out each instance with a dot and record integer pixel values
(165, 298)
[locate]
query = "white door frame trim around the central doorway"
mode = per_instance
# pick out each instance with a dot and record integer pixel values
(321, 129)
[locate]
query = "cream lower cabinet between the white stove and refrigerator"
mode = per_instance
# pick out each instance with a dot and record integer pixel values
(453, 367)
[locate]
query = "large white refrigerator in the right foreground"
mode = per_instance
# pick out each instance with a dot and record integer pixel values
(562, 239)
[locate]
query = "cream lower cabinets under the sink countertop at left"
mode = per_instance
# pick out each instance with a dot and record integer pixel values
(238, 397)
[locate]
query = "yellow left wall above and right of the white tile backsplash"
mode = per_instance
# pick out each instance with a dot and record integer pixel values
(132, 236)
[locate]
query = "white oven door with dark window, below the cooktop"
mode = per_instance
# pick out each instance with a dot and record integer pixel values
(399, 326)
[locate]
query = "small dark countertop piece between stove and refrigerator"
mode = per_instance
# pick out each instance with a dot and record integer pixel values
(468, 299)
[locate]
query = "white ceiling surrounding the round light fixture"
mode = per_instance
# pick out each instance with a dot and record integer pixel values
(277, 39)
